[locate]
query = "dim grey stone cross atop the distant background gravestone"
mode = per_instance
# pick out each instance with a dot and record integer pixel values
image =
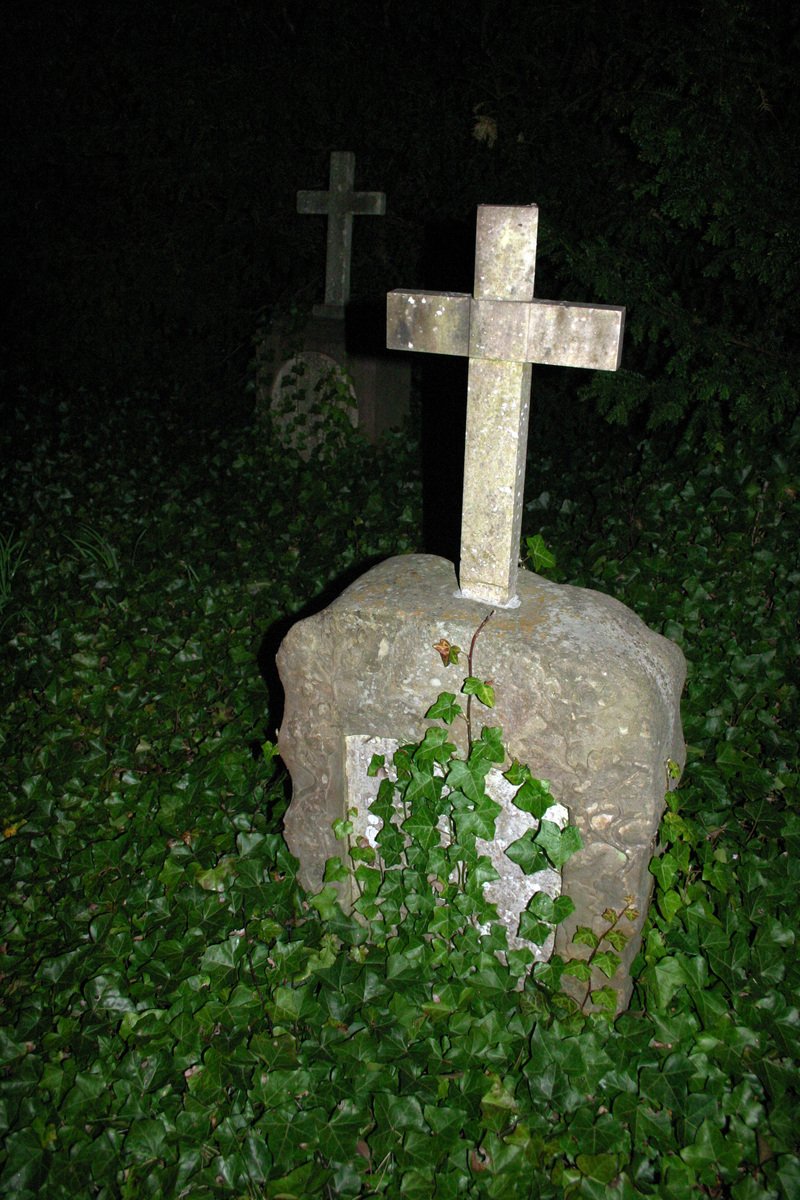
(340, 203)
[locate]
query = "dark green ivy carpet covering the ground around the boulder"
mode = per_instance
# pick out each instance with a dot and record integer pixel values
(178, 1019)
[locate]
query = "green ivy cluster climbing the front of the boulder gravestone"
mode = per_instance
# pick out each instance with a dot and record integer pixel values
(420, 887)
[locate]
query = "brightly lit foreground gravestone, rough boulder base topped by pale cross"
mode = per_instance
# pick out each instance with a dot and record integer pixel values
(587, 695)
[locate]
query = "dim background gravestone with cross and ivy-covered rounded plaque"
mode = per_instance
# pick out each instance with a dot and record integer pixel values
(300, 373)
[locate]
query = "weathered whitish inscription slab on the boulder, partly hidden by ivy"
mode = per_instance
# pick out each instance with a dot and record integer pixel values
(514, 891)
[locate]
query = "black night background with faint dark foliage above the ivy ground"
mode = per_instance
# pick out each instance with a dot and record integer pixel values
(154, 153)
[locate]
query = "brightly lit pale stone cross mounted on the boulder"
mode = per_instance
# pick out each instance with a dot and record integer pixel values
(503, 331)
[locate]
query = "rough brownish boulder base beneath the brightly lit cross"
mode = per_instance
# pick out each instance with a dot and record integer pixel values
(587, 695)
